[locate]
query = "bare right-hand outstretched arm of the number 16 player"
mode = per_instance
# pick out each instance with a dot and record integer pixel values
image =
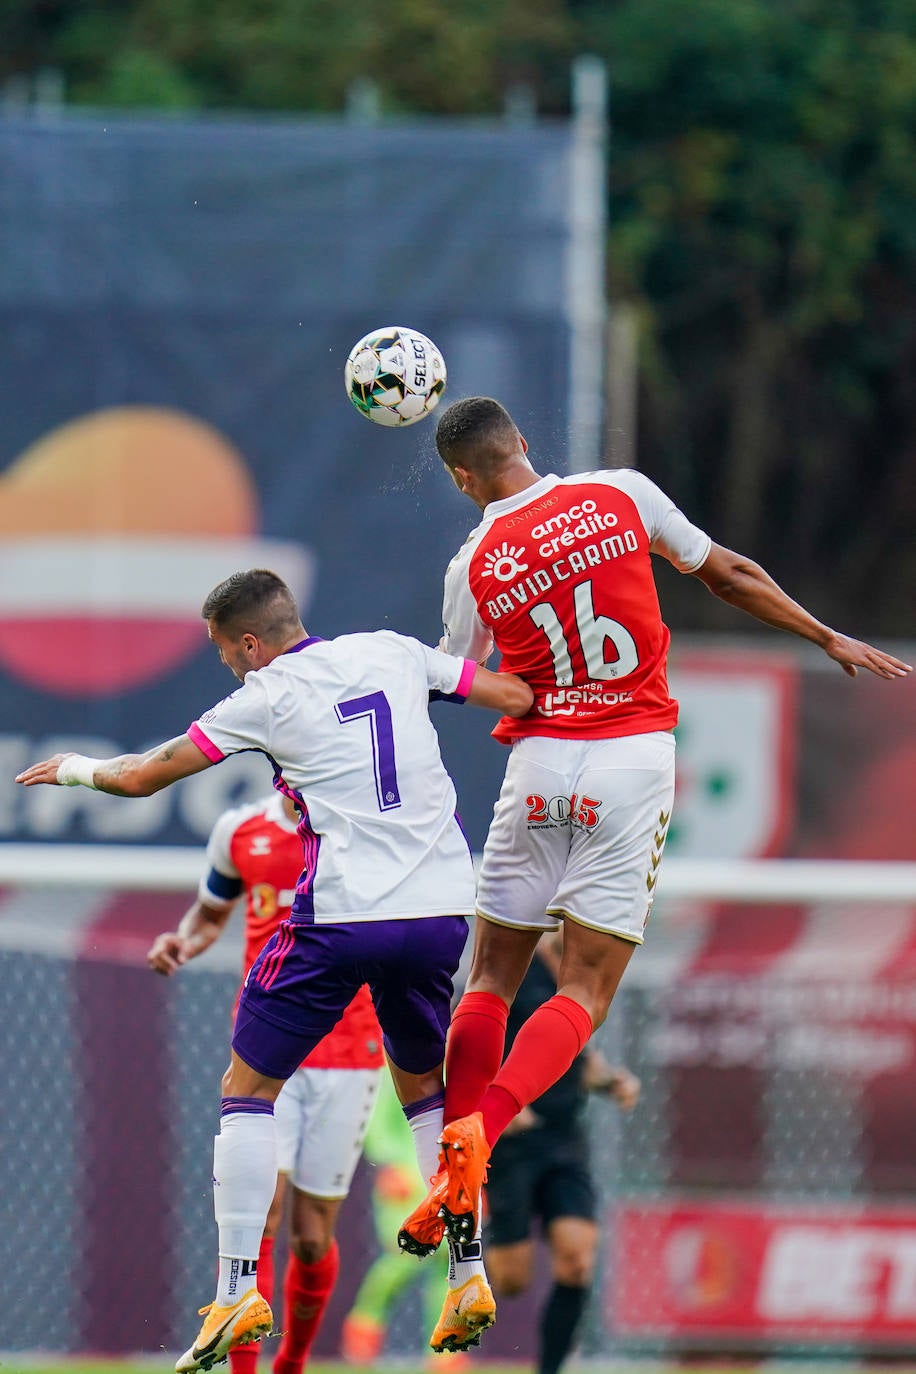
(744, 583)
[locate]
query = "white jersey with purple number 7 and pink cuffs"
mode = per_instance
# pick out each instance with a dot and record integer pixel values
(347, 726)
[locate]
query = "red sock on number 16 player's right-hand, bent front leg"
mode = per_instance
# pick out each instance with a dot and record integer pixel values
(543, 1052)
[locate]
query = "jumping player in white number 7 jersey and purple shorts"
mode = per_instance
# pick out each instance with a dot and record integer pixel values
(382, 898)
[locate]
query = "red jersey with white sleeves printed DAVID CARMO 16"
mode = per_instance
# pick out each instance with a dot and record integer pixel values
(560, 579)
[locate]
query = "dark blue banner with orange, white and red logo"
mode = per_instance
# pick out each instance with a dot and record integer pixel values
(176, 306)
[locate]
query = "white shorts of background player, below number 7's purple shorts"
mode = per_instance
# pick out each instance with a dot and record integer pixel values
(322, 1118)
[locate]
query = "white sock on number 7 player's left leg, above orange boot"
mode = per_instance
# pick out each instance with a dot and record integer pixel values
(244, 1186)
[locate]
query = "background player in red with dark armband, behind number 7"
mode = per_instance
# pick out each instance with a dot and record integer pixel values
(325, 1110)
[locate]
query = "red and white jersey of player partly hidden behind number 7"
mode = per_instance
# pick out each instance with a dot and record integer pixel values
(257, 851)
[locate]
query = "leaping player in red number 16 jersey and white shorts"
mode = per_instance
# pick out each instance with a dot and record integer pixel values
(558, 578)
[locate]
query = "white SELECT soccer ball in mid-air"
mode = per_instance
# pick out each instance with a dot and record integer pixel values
(395, 376)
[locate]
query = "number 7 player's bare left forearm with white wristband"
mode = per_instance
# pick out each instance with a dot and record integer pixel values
(128, 776)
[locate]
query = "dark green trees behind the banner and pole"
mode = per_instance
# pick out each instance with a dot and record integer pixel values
(763, 192)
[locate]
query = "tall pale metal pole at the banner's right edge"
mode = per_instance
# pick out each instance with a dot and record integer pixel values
(587, 310)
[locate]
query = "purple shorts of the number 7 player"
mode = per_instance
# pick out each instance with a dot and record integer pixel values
(306, 978)
